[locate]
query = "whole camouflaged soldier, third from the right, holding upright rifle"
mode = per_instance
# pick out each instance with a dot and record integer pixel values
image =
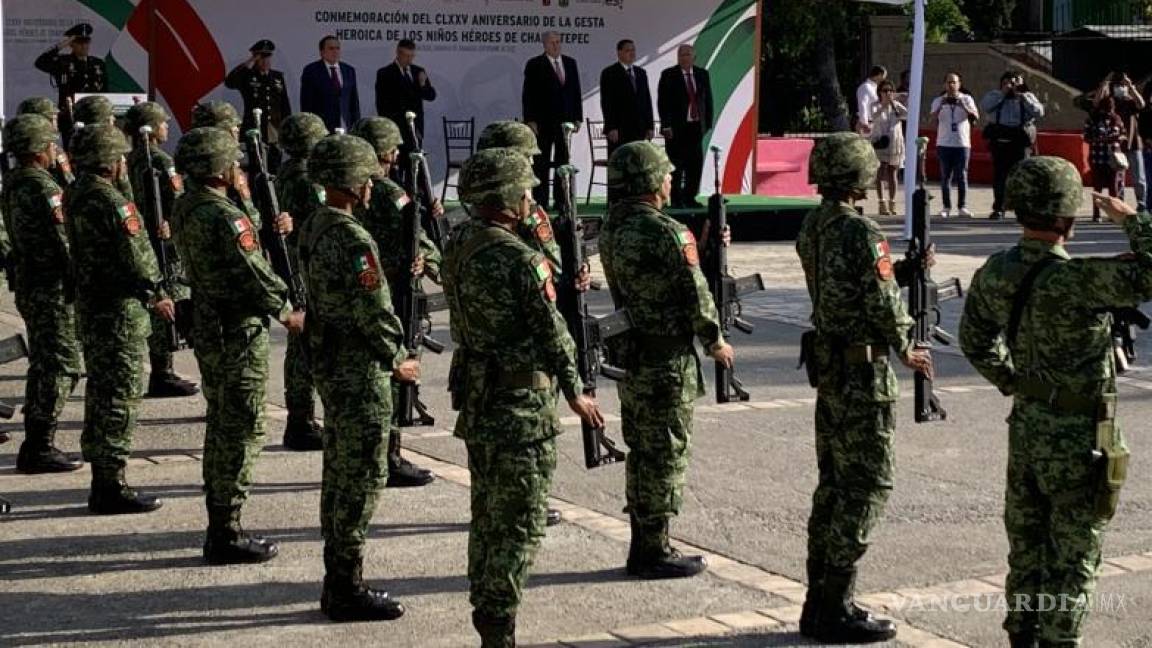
(653, 267)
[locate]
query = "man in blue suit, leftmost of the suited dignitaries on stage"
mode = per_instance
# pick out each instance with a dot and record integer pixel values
(328, 88)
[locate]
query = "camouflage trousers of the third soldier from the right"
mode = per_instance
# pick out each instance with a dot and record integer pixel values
(656, 409)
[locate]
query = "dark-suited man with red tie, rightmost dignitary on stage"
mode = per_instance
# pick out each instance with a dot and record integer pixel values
(685, 101)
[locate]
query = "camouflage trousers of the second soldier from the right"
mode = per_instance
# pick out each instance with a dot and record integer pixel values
(855, 461)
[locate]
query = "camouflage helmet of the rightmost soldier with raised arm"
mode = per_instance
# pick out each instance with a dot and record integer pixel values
(1044, 186)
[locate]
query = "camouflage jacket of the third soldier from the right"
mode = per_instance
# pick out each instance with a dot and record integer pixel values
(653, 267)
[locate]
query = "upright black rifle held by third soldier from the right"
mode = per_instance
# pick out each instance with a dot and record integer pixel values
(726, 290)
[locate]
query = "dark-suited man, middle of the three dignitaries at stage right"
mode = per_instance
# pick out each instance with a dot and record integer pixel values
(626, 101)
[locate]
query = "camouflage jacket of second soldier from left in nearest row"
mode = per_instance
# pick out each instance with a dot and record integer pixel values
(112, 258)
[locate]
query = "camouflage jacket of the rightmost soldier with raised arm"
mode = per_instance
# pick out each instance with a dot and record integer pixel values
(1065, 333)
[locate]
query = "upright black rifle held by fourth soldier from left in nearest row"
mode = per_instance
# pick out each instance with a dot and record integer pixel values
(414, 306)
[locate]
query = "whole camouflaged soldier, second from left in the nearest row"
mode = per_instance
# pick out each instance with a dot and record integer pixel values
(117, 281)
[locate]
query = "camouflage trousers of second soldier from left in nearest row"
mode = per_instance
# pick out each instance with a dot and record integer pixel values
(112, 335)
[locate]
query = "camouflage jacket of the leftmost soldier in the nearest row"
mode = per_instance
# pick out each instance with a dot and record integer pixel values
(34, 216)
